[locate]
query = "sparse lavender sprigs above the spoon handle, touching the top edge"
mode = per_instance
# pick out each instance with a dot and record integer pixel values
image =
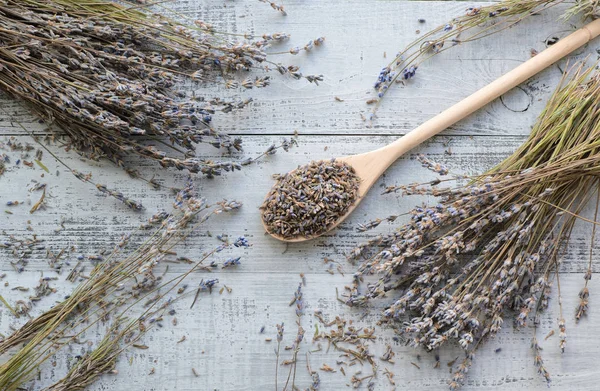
(476, 23)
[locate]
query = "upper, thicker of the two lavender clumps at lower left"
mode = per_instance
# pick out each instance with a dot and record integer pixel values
(103, 291)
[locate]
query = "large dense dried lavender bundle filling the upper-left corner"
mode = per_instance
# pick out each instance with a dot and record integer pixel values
(106, 74)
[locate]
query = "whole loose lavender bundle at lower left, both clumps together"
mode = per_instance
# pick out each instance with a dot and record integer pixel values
(115, 286)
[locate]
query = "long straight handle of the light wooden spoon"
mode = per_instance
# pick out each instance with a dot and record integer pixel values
(493, 90)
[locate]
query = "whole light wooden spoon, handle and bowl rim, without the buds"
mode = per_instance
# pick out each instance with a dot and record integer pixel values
(370, 166)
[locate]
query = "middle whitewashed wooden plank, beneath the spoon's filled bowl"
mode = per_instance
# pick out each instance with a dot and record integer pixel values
(93, 222)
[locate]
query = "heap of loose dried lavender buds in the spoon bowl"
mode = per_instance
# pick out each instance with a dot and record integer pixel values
(310, 199)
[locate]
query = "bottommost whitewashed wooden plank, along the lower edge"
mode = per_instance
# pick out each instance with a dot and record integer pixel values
(224, 344)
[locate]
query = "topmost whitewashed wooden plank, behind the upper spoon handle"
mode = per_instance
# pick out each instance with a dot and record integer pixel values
(353, 56)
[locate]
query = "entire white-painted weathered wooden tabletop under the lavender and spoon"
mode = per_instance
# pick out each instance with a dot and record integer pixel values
(224, 343)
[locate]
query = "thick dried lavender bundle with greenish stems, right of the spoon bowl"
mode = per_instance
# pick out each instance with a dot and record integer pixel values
(487, 251)
